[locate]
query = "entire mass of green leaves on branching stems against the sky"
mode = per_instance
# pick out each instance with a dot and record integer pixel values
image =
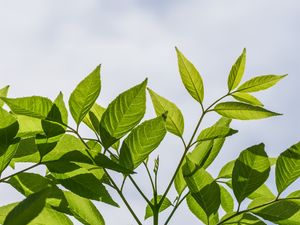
(36, 131)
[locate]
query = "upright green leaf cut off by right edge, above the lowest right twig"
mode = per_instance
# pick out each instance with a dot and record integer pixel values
(288, 167)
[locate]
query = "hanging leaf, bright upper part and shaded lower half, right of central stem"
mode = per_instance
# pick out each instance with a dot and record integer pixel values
(203, 188)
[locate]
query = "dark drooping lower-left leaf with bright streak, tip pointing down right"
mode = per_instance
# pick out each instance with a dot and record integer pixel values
(80, 181)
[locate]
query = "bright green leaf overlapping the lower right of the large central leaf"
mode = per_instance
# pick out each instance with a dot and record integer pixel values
(141, 142)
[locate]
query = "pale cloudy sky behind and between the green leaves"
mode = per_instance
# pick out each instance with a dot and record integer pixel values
(49, 46)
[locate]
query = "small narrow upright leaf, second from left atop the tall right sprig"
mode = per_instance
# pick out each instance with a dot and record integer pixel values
(237, 71)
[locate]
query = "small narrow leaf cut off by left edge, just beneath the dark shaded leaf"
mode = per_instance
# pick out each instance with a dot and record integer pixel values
(7, 153)
